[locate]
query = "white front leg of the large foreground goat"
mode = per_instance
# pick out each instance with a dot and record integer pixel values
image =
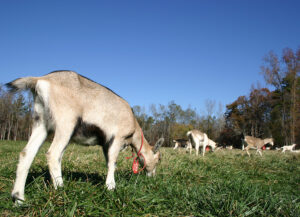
(112, 155)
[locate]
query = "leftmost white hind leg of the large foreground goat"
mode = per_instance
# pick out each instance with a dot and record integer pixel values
(38, 136)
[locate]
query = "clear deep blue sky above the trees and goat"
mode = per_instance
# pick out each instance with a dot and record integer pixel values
(149, 51)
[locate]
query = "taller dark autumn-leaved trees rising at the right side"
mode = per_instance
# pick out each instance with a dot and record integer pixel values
(269, 113)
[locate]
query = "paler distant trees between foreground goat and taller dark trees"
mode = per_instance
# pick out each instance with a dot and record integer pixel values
(171, 121)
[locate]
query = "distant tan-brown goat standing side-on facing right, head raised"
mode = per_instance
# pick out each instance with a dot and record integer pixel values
(256, 143)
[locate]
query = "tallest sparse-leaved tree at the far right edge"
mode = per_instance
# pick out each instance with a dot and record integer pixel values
(283, 75)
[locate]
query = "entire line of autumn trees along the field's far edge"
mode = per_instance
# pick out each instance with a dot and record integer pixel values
(265, 112)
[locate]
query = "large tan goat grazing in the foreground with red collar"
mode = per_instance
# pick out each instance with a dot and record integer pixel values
(75, 107)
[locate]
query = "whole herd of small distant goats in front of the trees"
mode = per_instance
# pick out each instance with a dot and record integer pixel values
(199, 139)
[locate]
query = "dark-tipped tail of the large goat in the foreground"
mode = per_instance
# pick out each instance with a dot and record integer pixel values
(22, 84)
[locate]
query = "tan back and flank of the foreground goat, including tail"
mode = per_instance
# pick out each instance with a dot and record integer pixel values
(70, 94)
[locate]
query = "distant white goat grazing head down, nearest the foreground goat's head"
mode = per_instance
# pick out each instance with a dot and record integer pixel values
(199, 139)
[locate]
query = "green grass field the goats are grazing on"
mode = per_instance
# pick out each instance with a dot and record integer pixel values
(224, 183)
